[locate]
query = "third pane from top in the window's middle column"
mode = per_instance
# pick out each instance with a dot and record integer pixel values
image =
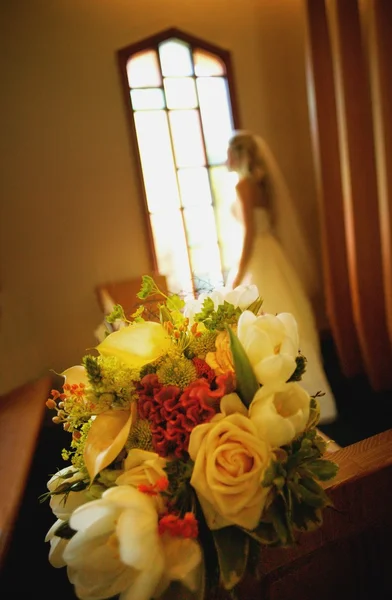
(187, 138)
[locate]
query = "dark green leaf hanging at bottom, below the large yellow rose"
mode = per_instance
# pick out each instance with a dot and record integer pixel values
(232, 546)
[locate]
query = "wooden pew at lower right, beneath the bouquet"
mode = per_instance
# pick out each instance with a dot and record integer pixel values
(350, 556)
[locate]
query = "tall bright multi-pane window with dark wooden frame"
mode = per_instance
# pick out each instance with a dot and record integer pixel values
(179, 97)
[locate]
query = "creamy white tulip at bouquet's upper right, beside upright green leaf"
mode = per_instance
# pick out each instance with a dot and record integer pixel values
(271, 344)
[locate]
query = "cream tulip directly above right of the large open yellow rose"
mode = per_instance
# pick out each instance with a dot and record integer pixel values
(280, 414)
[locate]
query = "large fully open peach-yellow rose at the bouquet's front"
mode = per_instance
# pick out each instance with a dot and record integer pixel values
(230, 462)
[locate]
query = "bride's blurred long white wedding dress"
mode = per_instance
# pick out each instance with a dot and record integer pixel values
(282, 291)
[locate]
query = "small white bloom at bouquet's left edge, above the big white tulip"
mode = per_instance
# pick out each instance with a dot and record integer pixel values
(63, 505)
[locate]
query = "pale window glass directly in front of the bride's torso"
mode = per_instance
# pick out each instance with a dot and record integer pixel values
(230, 230)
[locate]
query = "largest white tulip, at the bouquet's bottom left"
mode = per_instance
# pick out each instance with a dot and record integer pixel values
(117, 548)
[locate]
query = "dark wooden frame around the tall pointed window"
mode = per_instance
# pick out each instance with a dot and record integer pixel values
(152, 42)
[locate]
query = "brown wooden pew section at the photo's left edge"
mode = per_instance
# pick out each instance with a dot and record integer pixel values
(22, 413)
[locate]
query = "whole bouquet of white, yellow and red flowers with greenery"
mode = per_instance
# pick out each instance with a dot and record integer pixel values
(192, 446)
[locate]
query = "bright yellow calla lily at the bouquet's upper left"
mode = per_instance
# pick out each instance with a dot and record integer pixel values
(137, 344)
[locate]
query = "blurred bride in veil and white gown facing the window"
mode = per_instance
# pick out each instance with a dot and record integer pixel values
(271, 234)
